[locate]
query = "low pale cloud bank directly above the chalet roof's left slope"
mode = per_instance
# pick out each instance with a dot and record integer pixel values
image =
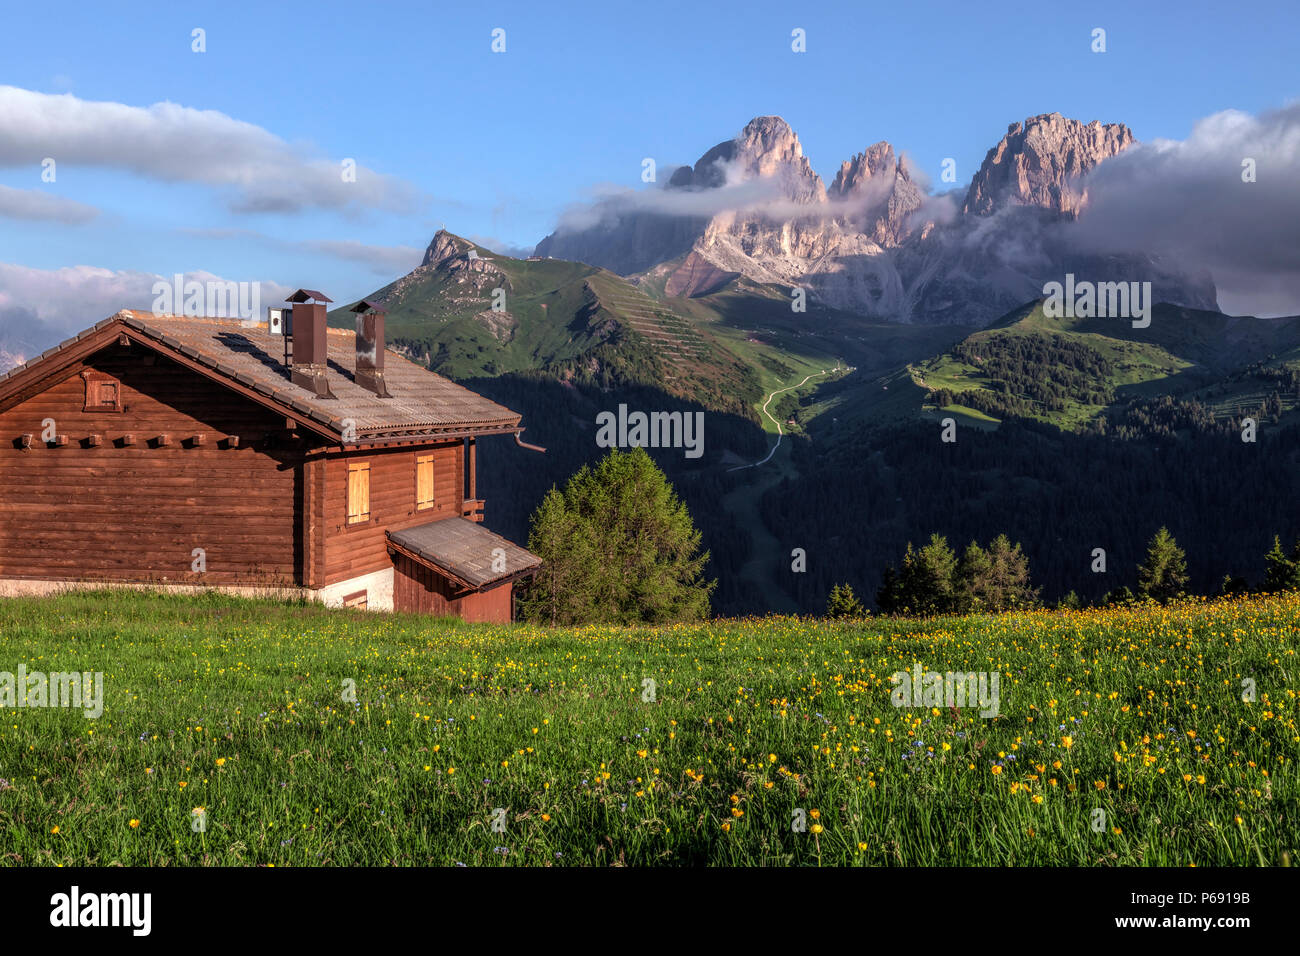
(42, 308)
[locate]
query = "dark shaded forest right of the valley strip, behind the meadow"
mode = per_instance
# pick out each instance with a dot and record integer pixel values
(1061, 495)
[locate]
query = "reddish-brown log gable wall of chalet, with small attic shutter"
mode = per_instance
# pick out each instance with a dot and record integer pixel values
(129, 512)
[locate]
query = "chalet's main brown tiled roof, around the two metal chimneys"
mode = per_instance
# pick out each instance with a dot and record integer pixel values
(421, 403)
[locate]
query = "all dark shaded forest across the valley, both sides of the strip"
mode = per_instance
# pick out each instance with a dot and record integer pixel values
(864, 495)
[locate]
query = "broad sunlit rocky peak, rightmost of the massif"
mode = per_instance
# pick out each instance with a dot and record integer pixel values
(1041, 163)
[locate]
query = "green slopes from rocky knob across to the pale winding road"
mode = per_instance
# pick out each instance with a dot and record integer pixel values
(577, 323)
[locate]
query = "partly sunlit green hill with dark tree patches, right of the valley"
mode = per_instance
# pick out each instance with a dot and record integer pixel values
(1074, 373)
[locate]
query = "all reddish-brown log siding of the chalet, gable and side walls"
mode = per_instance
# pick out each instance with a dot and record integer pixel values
(266, 508)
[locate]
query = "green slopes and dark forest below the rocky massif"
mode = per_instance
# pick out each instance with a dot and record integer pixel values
(857, 404)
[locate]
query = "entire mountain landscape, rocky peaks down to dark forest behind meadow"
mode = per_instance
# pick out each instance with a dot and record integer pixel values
(844, 325)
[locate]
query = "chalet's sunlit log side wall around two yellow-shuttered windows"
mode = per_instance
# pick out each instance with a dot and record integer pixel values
(354, 550)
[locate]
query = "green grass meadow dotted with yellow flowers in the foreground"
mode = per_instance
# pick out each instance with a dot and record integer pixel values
(253, 733)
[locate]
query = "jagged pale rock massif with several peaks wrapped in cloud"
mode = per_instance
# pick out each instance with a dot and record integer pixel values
(874, 243)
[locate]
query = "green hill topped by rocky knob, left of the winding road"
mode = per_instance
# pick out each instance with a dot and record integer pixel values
(471, 314)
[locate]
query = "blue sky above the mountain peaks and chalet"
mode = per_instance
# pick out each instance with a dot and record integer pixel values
(497, 145)
